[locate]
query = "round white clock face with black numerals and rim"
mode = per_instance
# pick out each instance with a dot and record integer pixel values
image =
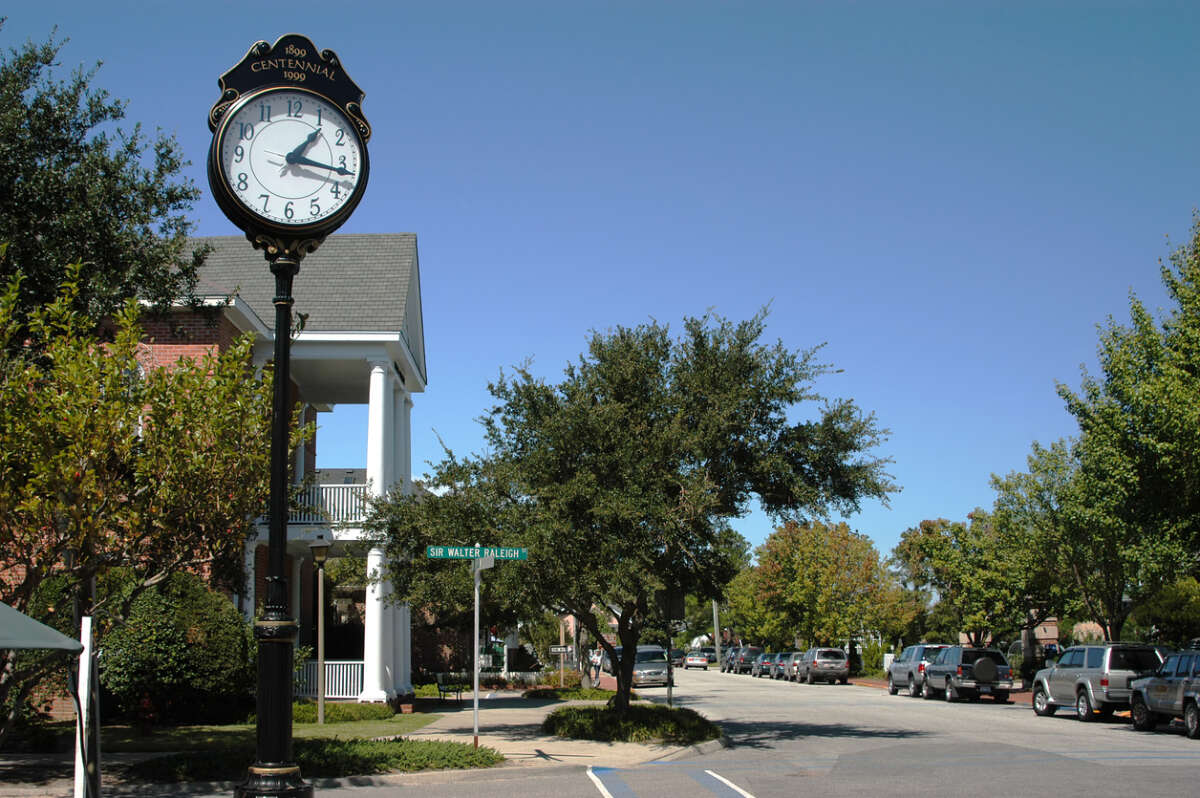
(291, 158)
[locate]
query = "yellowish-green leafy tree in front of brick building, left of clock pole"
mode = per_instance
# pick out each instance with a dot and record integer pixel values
(107, 465)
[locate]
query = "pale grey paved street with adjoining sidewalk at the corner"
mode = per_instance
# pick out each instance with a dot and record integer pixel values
(829, 741)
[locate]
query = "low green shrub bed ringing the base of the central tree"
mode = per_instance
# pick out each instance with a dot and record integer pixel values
(640, 724)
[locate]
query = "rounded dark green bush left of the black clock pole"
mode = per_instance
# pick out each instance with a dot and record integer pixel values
(184, 656)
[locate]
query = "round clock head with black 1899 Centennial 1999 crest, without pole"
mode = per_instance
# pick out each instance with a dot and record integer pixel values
(289, 163)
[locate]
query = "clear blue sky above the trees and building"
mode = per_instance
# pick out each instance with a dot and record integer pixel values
(951, 196)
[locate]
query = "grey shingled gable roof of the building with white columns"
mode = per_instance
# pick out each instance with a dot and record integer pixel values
(352, 284)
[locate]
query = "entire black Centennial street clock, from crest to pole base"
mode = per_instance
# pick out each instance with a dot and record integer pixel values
(289, 166)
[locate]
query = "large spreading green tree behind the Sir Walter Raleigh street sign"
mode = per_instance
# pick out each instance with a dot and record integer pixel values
(621, 479)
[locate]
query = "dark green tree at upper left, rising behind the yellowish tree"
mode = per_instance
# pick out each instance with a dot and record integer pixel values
(74, 188)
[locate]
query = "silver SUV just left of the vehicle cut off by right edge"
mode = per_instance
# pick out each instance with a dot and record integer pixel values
(1095, 679)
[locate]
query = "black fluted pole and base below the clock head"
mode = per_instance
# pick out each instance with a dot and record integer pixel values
(275, 772)
